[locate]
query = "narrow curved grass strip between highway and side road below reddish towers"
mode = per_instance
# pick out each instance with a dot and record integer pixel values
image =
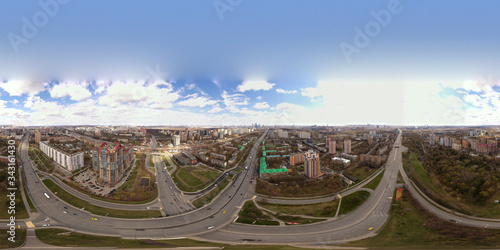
(67, 197)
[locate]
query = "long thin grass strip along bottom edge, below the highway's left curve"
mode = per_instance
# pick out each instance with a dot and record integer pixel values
(59, 238)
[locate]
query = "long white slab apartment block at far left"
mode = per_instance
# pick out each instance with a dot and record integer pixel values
(69, 161)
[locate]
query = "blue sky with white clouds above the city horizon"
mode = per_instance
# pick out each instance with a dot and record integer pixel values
(222, 62)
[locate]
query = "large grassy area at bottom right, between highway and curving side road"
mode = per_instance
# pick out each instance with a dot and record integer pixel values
(410, 226)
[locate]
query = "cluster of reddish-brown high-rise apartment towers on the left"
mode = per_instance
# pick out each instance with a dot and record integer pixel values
(111, 161)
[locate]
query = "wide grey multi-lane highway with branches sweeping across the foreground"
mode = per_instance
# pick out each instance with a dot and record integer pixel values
(221, 212)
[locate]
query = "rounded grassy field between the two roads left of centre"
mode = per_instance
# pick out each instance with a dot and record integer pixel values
(194, 178)
